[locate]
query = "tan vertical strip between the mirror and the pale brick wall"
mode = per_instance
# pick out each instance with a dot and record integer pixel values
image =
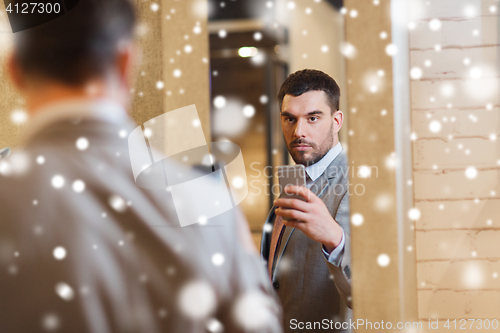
(378, 292)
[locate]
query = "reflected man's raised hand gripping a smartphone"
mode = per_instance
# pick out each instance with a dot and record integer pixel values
(310, 216)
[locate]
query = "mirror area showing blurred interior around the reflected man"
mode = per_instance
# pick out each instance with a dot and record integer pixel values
(254, 46)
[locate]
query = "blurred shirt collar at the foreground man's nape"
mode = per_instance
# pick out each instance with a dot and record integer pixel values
(98, 109)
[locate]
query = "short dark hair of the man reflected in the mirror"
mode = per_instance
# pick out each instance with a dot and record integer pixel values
(311, 80)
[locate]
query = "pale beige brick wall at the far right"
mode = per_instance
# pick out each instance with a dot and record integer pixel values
(458, 257)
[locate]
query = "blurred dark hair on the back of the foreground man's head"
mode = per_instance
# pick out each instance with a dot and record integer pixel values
(79, 45)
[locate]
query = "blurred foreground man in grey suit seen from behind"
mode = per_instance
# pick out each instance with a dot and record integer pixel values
(82, 247)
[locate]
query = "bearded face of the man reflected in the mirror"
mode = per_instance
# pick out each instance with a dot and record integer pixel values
(308, 126)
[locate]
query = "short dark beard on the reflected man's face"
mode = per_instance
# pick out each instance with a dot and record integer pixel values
(313, 155)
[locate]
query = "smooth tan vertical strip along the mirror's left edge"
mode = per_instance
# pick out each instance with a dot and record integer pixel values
(187, 51)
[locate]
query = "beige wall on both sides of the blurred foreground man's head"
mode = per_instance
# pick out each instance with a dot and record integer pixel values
(160, 40)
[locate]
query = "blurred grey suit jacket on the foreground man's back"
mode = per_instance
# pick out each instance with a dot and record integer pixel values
(123, 263)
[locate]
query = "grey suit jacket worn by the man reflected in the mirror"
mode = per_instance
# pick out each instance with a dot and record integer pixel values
(310, 287)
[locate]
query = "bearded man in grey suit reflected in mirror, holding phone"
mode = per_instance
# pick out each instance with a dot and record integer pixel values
(308, 255)
